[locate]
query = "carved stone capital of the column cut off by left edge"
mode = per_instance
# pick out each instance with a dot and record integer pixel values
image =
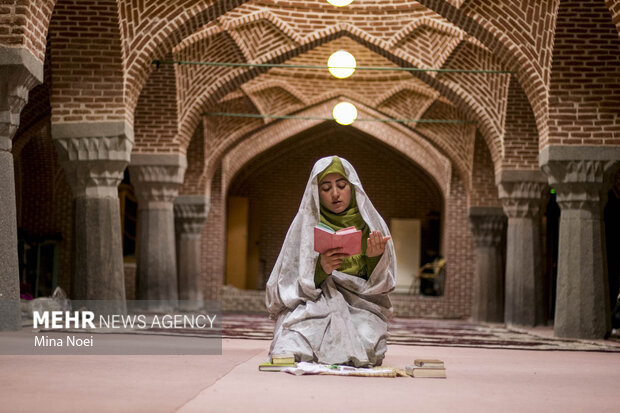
(20, 71)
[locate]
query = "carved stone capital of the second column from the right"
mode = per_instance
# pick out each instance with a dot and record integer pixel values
(522, 192)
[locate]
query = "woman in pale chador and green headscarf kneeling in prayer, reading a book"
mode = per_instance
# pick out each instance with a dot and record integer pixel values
(332, 308)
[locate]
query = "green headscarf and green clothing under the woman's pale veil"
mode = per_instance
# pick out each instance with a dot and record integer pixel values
(359, 265)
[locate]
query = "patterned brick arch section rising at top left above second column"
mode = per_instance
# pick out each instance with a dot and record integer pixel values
(152, 33)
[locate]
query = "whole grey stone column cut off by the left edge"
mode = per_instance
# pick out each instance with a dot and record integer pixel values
(19, 73)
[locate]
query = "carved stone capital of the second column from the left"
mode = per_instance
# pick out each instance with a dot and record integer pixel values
(94, 155)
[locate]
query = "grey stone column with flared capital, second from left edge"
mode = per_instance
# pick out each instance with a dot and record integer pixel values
(94, 156)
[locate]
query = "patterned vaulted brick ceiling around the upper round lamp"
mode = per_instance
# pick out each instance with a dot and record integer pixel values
(379, 34)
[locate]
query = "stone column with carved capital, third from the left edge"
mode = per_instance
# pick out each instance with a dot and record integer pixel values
(156, 179)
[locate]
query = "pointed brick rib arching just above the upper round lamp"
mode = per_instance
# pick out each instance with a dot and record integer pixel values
(211, 93)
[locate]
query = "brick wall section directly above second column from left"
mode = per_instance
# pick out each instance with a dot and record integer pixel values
(86, 62)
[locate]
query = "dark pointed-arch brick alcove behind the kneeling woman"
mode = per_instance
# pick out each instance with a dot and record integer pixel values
(270, 186)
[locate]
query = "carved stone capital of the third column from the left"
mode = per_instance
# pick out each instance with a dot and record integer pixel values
(157, 178)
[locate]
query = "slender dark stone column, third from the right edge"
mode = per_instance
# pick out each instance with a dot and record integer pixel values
(488, 225)
